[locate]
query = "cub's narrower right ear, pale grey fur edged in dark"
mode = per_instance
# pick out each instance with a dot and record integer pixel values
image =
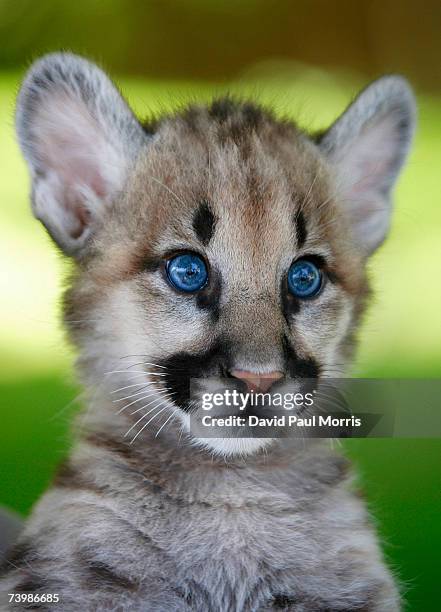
(367, 146)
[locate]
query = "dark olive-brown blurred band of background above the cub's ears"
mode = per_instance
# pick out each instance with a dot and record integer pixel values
(217, 40)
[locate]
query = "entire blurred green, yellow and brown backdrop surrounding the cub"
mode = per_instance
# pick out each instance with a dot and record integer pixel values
(306, 59)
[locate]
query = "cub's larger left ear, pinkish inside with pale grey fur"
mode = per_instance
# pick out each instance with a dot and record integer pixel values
(79, 138)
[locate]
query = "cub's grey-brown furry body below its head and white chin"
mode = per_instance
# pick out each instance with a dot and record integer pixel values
(177, 530)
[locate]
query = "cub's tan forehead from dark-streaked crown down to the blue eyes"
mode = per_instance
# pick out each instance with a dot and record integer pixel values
(241, 188)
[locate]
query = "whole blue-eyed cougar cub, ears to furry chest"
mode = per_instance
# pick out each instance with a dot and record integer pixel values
(219, 241)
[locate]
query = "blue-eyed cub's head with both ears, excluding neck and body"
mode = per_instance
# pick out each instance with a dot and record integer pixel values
(218, 242)
